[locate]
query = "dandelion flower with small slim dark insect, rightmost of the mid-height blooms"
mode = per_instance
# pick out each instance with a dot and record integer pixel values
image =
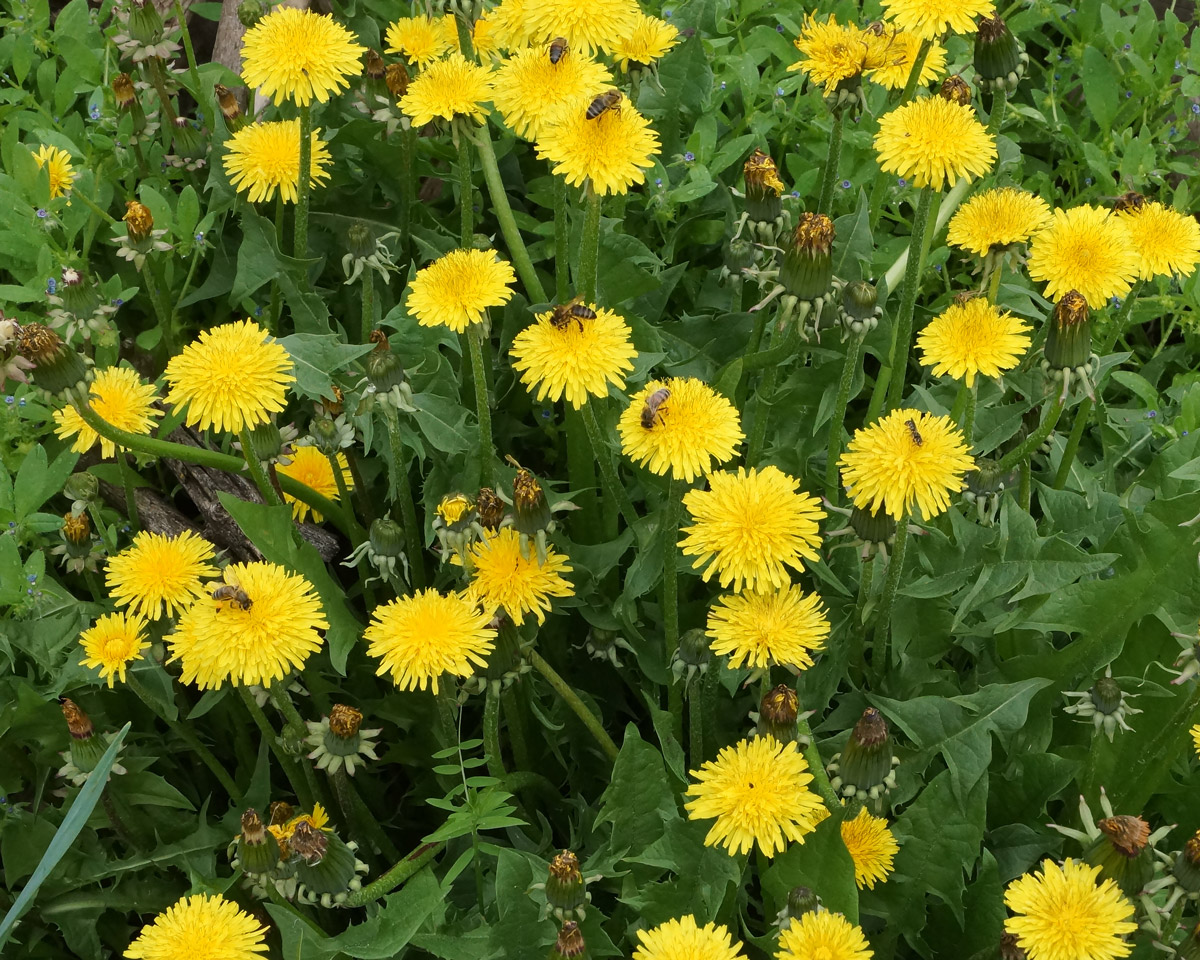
(886, 465)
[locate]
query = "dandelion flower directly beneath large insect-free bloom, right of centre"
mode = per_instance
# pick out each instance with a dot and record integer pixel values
(765, 629)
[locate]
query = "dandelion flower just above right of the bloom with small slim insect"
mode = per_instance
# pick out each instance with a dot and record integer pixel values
(974, 338)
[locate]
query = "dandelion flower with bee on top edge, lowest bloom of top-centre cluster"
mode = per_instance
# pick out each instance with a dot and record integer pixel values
(613, 151)
